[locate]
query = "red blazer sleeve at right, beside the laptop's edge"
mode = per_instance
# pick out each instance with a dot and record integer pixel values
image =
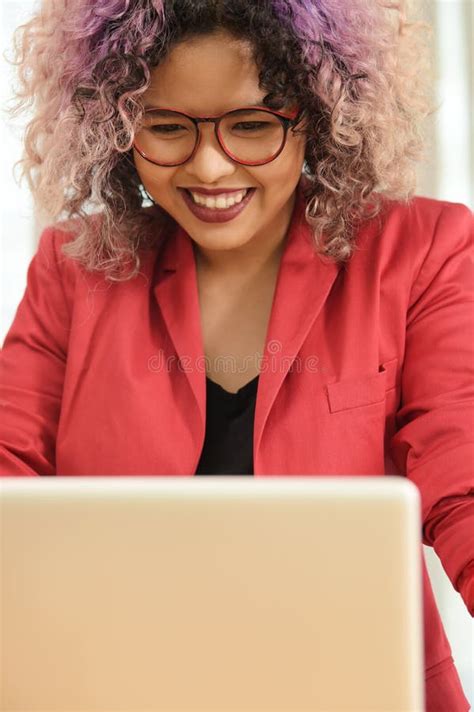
(433, 444)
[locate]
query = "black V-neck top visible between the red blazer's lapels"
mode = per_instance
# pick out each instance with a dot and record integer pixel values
(228, 444)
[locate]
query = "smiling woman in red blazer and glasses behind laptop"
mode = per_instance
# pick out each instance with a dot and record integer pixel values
(312, 317)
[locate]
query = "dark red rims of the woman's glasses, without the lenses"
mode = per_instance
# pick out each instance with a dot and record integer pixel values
(287, 120)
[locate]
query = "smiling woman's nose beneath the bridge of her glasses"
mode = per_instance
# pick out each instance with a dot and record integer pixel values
(210, 162)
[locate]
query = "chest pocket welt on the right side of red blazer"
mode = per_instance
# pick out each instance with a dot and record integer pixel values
(362, 391)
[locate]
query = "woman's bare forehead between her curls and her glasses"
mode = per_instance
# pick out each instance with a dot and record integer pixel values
(214, 73)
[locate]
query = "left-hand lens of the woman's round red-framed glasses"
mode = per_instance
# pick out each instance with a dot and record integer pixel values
(166, 137)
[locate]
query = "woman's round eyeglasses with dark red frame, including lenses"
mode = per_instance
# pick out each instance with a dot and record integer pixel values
(250, 136)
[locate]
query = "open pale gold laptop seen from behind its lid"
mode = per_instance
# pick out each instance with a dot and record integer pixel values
(220, 594)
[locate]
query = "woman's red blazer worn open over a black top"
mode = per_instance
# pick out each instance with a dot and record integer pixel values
(368, 370)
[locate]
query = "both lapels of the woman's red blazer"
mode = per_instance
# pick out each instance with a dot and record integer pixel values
(303, 284)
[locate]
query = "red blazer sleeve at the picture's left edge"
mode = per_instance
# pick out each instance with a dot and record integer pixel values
(32, 368)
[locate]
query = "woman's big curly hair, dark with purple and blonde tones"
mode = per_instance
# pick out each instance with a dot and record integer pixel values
(360, 71)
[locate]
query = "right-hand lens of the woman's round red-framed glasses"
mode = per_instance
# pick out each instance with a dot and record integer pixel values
(252, 136)
